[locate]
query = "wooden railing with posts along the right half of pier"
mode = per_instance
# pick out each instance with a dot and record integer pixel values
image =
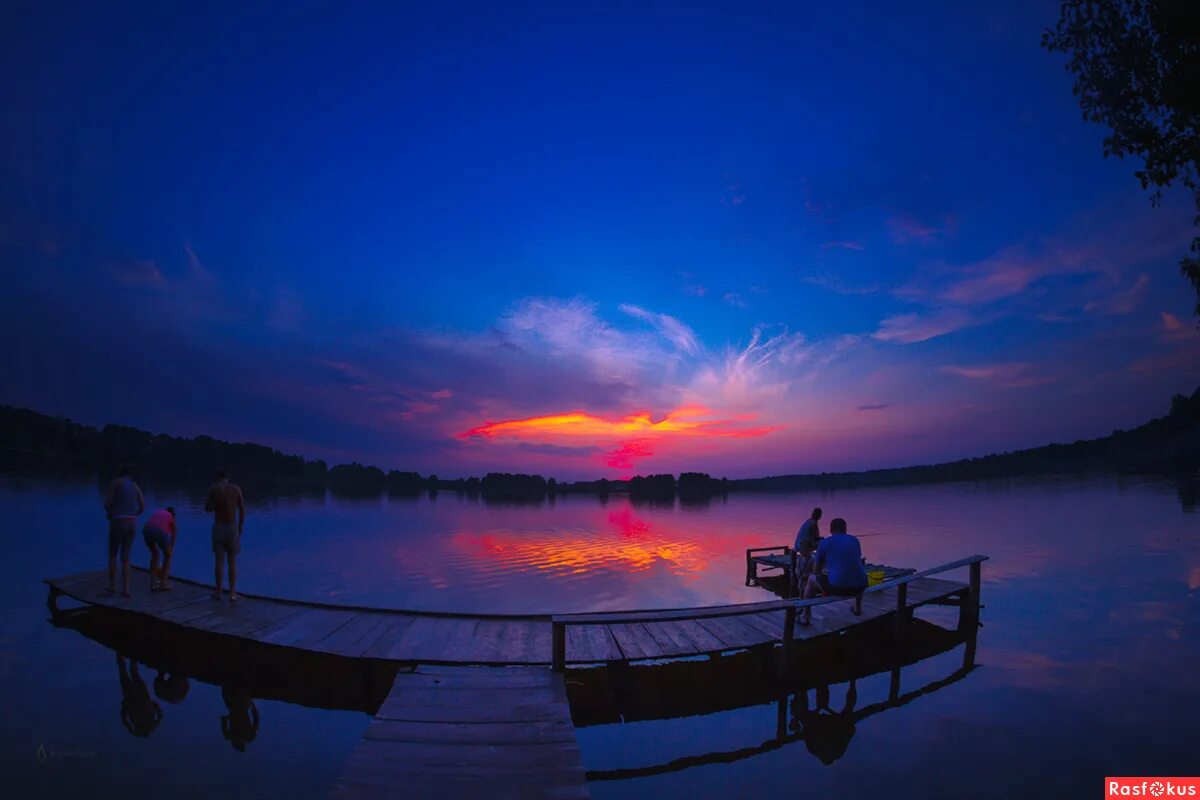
(969, 610)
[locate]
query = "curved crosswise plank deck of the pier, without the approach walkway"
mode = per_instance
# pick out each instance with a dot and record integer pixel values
(447, 639)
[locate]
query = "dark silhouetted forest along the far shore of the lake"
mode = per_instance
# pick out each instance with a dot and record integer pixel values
(1169, 444)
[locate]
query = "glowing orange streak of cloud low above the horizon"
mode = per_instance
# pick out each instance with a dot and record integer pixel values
(693, 420)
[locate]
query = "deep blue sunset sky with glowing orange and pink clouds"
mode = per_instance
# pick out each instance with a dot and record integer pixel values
(746, 239)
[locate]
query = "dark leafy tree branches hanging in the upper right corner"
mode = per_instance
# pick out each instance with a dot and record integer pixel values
(1137, 67)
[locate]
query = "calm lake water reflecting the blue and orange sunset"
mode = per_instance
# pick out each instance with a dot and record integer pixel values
(1088, 663)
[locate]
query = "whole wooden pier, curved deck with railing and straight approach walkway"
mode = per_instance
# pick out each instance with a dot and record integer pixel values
(473, 703)
